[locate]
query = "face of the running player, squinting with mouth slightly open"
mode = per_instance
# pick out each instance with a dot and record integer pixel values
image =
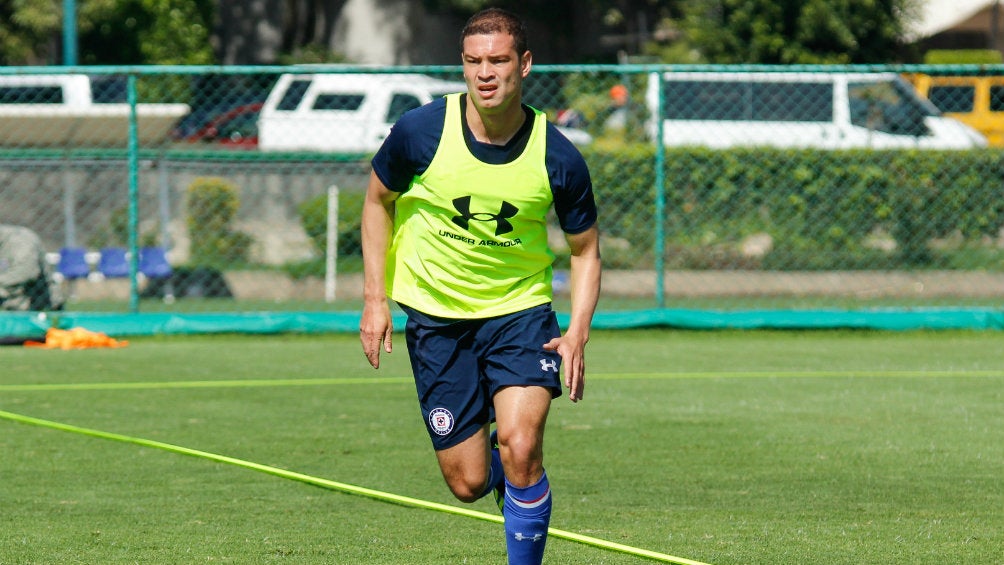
(494, 72)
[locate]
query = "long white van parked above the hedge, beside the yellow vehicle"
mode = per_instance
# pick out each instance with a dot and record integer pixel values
(801, 110)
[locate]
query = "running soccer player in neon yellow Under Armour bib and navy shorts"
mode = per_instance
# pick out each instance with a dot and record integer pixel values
(454, 231)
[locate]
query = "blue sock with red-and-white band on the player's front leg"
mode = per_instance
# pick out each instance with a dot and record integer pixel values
(528, 514)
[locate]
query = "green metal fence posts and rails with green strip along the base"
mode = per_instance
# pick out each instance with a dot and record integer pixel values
(134, 154)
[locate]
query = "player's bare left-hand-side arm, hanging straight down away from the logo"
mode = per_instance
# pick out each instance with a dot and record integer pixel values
(378, 223)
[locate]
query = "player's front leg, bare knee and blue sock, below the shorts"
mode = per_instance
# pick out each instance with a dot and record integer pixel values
(522, 413)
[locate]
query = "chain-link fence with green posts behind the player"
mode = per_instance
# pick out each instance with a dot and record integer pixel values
(175, 189)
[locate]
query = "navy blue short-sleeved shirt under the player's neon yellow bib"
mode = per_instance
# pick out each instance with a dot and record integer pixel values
(412, 144)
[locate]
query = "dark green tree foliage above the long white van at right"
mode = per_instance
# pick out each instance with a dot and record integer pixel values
(797, 32)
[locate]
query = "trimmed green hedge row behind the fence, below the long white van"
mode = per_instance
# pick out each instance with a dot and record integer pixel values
(821, 208)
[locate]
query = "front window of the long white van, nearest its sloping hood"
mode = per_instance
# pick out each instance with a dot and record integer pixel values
(887, 107)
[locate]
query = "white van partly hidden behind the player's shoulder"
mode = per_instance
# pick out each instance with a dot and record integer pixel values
(349, 113)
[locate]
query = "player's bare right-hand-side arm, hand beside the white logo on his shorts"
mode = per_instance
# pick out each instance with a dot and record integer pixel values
(586, 273)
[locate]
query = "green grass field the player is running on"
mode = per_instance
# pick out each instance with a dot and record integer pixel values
(723, 448)
